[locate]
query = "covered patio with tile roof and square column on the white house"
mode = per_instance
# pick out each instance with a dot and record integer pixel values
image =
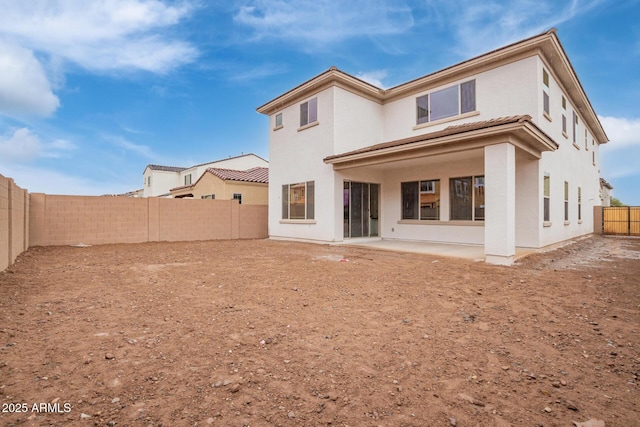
(432, 189)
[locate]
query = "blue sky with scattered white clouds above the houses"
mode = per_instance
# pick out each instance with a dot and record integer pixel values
(93, 91)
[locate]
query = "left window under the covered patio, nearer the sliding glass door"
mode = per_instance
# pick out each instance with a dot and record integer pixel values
(421, 200)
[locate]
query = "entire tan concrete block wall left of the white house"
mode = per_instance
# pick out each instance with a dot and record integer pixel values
(39, 219)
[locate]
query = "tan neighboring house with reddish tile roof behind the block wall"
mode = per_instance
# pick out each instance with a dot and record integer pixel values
(250, 187)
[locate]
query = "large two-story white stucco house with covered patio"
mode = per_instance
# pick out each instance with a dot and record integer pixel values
(500, 150)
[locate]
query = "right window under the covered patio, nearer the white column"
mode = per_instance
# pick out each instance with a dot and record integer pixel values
(466, 198)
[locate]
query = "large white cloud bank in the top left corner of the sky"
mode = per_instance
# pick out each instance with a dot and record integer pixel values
(100, 35)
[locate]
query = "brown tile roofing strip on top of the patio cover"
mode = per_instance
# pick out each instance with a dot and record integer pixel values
(451, 130)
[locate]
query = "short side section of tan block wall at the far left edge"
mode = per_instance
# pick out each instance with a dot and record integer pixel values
(14, 221)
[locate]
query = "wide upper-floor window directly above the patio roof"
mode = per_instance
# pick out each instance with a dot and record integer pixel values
(448, 102)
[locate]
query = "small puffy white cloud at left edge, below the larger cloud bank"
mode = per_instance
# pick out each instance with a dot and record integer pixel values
(24, 87)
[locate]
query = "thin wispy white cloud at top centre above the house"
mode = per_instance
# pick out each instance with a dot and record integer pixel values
(314, 23)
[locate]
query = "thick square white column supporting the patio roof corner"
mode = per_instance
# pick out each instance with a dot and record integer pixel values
(500, 204)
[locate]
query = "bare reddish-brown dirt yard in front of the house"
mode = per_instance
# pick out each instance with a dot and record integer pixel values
(261, 333)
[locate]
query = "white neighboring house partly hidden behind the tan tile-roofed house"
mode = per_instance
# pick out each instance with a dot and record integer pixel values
(158, 180)
